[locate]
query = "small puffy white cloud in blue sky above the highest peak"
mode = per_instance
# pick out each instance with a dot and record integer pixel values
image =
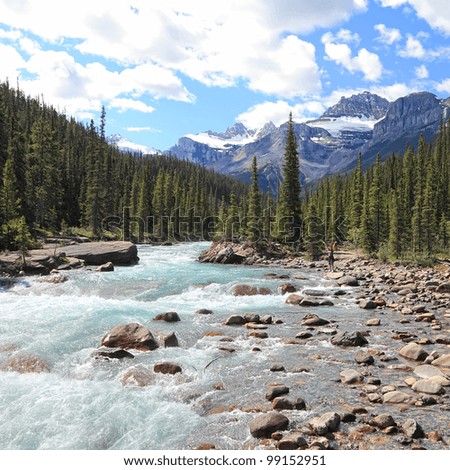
(366, 62)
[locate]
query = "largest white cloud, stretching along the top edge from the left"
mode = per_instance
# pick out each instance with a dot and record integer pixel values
(203, 39)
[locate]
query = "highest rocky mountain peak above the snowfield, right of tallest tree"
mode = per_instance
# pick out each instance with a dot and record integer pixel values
(364, 105)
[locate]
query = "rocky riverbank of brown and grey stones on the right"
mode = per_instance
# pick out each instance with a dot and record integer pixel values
(409, 305)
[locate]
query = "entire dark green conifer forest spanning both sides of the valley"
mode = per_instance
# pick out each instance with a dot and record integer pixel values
(61, 176)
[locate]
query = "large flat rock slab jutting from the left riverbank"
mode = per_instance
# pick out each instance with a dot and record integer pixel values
(96, 253)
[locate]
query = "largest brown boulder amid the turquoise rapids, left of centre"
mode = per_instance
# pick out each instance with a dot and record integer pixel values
(130, 336)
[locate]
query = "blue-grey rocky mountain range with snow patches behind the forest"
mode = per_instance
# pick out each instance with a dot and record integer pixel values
(364, 122)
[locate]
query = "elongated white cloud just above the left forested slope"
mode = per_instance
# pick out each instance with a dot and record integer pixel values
(78, 88)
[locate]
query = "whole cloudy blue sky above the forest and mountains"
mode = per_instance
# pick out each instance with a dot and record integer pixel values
(164, 69)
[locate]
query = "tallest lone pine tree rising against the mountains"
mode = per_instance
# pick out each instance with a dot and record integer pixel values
(289, 205)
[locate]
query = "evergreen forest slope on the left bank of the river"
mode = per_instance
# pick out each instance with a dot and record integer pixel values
(58, 175)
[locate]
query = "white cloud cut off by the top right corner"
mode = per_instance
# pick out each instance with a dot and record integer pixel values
(435, 12)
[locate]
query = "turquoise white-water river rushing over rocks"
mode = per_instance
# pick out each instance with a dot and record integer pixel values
(82, 404)
